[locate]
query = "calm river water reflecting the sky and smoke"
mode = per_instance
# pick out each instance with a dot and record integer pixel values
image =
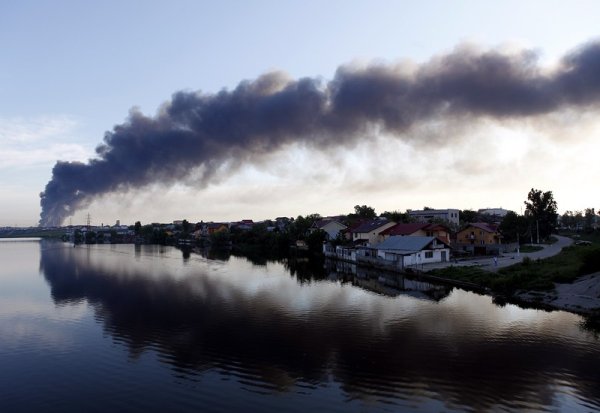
(148, 328)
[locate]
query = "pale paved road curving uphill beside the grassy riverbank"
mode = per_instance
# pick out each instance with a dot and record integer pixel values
(506, 259)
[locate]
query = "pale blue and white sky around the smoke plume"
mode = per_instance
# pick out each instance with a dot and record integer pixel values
(70, 71)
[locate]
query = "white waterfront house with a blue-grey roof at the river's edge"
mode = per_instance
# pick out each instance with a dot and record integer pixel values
(408, 252)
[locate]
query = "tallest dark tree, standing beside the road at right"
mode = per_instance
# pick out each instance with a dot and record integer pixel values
(541, 212)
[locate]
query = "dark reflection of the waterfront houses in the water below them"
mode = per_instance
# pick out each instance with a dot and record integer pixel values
(384, 283)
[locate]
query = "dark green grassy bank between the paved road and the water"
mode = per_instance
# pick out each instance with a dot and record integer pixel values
(565, 267)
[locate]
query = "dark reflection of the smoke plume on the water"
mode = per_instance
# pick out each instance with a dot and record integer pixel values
(201, 323)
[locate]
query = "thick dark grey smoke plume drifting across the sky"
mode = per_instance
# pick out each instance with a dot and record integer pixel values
(206, 133)
